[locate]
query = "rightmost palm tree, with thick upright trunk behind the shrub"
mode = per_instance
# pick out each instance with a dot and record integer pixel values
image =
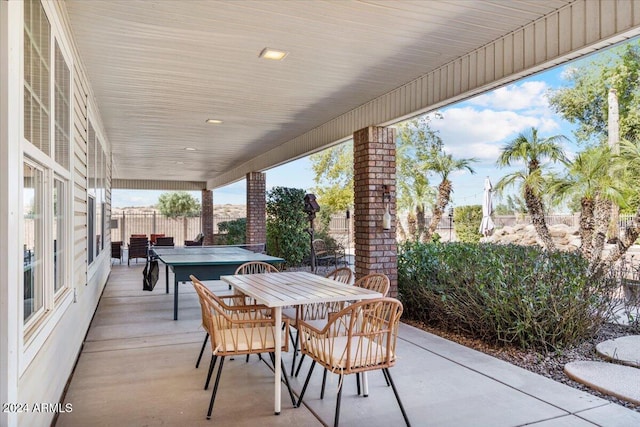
(588, 177)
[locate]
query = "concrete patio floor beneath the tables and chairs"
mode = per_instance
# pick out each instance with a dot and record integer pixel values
(137, 368)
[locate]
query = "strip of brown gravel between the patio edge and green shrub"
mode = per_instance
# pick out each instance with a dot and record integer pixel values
(550, 365)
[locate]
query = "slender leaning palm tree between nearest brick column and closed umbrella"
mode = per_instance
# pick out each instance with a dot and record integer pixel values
(443, 165)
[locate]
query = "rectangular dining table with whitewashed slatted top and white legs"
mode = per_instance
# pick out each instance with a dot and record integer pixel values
(277, 290)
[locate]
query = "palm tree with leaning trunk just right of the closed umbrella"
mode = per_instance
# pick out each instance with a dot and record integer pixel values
(533, 151)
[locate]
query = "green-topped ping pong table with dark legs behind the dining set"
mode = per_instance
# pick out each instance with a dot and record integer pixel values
(204, 262)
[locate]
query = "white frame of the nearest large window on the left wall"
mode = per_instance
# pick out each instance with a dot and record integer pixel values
(55, 301)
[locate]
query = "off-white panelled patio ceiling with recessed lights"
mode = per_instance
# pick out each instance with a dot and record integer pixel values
(160, 68)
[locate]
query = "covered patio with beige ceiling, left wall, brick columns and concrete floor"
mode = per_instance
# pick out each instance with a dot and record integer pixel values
(175, 95)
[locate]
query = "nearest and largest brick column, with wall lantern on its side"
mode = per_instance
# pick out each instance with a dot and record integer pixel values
(374, 156)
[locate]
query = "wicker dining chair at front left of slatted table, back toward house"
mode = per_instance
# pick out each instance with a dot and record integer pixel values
(236, 331)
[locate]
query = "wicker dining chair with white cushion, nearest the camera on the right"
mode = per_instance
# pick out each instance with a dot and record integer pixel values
(361, 337)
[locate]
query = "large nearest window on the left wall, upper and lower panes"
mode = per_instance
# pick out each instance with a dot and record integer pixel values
(46, 169)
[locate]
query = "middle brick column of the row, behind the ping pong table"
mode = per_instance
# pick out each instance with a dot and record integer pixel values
(256, 208)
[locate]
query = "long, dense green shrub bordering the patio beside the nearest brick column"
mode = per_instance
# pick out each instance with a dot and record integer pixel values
(503, 293)
